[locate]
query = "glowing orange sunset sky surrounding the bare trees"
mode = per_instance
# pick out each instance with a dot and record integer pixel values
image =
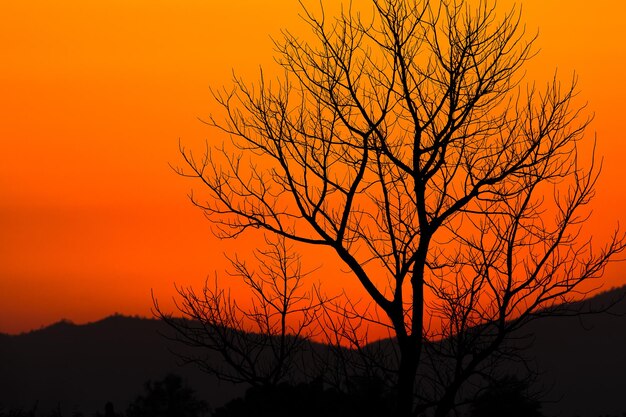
(94, 96)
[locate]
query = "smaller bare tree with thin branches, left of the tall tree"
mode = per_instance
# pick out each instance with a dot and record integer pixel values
(260, 344)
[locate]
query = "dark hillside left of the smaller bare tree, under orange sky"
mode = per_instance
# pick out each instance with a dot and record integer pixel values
(83, 367)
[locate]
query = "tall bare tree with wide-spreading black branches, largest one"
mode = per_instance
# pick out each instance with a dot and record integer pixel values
(403, 140)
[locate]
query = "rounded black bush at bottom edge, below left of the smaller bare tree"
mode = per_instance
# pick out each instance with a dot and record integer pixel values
(167, 398)
